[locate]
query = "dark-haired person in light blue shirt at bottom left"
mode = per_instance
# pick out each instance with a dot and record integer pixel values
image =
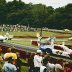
(8, 66)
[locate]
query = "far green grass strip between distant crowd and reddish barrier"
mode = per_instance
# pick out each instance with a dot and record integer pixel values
(30, 33)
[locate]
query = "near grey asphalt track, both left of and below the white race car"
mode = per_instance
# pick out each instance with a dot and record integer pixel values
(31, 49)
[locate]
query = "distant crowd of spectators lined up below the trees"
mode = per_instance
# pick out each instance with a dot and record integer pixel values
(17, 27)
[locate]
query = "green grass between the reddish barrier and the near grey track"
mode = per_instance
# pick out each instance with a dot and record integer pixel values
(27, 42)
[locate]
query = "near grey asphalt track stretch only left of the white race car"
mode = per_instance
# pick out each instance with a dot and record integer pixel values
(19, 47)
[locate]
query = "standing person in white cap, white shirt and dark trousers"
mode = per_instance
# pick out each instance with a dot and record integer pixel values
(37, 61)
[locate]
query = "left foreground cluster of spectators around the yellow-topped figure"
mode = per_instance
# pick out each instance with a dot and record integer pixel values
(10, 61)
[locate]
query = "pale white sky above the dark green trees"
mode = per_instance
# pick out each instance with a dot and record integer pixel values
(53, 3)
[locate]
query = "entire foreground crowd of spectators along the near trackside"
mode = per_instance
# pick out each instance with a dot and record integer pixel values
(39, 62)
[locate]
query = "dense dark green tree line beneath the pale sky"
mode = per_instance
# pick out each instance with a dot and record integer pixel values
(38, 15)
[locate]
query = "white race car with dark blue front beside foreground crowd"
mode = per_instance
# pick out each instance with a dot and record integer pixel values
(57, 49)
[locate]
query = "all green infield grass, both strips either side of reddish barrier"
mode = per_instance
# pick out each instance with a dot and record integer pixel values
(27, 41)
